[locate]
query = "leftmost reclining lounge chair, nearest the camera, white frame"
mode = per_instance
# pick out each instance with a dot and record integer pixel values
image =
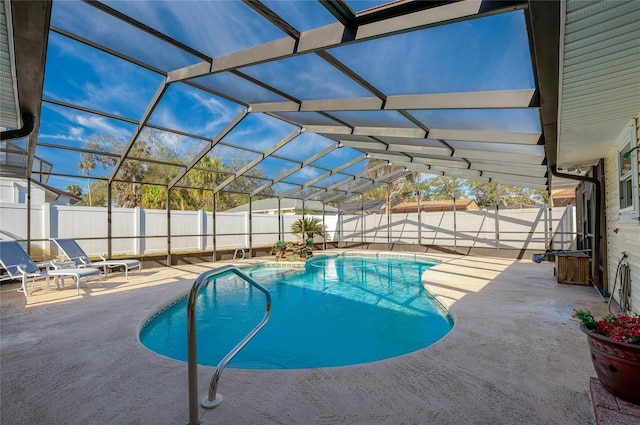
(19, 265)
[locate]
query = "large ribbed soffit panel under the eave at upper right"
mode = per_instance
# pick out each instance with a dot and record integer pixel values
(600, 81)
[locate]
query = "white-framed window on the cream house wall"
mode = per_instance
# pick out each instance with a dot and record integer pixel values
(628, 174)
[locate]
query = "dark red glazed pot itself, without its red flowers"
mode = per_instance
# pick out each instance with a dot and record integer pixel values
(617, 365)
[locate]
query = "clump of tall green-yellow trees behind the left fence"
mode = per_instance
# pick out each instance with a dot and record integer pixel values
(193, 192)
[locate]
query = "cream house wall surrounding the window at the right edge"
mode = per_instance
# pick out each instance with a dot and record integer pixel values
(621, 236)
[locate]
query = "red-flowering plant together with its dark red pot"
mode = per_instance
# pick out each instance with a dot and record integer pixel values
(614, 343)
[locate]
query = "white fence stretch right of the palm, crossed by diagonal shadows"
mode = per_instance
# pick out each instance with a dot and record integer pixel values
(527, 228)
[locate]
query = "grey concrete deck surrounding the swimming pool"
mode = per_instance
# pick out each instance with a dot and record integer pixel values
(514, 356)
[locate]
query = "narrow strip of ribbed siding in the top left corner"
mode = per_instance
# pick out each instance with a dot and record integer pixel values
(9, 110)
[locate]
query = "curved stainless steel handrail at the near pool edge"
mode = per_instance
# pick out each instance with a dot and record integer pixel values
(213, 399)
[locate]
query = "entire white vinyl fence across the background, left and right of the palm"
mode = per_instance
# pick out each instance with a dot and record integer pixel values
(137, 231)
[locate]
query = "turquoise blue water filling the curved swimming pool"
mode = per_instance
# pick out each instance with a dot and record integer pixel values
(338, 311)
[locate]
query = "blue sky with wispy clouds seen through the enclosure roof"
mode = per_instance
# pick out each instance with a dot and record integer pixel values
(483, 54)
